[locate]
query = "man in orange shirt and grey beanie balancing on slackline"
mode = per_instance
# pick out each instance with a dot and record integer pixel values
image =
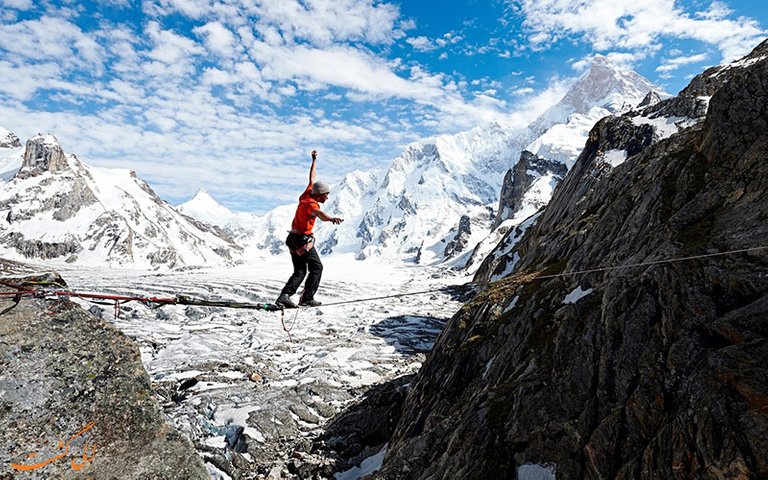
(301, 242)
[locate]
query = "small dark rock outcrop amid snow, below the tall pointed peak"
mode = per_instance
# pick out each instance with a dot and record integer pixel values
(518, 181)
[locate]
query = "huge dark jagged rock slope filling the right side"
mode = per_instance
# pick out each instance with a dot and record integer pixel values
(654, 371)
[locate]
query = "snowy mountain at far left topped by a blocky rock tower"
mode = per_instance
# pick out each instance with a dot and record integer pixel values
(55, 207)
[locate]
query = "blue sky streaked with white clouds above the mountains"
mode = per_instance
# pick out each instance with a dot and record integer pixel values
(231, 95)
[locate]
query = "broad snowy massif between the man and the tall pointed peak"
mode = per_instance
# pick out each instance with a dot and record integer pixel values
(414, 209)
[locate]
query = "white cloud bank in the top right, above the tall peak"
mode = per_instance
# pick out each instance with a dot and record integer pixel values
(632, 24)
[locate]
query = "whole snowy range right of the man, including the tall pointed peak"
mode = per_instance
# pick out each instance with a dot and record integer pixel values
(440, 198)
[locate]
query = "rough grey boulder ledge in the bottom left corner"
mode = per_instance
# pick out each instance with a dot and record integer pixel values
(75, 401)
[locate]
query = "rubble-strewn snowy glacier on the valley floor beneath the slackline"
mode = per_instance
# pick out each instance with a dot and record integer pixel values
(249, 371)
